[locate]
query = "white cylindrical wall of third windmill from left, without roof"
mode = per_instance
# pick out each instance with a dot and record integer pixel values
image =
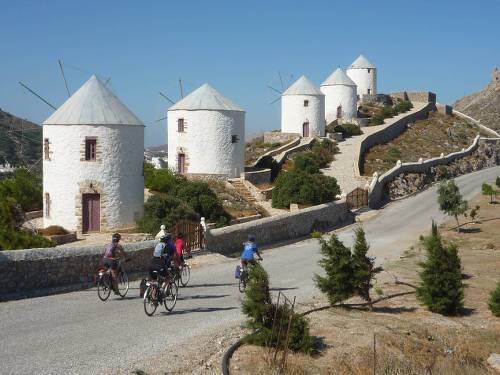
(294, 114)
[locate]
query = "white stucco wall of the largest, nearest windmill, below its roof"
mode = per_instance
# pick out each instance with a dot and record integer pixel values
(120, 173)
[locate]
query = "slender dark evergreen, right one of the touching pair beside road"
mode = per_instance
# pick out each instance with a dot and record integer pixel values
(364, 267)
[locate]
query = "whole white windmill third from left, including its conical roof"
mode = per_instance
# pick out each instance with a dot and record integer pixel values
(303, 109)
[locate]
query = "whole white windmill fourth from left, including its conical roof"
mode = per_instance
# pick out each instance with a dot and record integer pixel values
(340, 97)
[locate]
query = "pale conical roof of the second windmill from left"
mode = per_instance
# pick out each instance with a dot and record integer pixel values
(205, 98)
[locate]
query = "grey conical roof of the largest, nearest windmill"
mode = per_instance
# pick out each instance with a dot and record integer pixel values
(93, 104)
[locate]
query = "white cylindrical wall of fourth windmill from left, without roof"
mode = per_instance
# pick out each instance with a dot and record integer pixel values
(343, 95)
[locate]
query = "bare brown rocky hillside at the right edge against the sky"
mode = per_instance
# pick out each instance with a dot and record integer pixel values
(484, 105)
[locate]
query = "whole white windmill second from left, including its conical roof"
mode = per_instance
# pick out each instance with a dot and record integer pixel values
(206, 135)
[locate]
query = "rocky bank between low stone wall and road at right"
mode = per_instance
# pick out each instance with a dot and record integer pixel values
(486, 156)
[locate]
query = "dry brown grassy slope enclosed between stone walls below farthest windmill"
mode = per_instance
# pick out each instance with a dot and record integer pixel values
(424, 139)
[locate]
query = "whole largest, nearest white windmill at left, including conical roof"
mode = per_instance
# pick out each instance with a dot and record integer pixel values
(93, 162)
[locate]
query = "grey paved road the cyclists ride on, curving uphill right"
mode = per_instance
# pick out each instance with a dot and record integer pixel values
(75, 333)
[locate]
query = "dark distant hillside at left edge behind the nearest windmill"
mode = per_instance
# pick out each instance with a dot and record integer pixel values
(20, 141)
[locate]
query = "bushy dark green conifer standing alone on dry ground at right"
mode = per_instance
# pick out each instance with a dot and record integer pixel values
(441, 288)
